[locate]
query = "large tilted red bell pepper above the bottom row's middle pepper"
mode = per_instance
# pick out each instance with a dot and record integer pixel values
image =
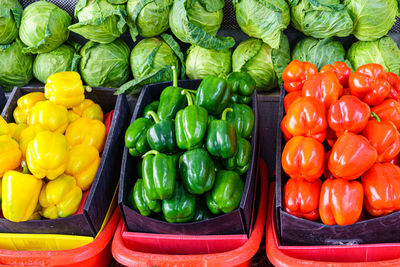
(351, 156)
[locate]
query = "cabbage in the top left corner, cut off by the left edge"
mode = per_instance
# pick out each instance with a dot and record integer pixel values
(10, 19)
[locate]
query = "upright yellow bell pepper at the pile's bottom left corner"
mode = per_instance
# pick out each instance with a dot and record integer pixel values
(20, 195)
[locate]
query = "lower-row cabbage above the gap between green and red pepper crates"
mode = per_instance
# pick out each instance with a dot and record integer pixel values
(264, 64)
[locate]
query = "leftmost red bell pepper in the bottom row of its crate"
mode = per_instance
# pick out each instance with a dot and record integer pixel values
(301, 198)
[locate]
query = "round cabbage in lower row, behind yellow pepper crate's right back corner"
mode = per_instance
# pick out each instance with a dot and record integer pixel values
(105, 65)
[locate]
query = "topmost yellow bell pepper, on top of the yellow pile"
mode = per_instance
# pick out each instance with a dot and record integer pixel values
(65, 88)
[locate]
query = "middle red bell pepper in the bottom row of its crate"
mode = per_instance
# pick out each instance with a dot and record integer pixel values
(341, 201)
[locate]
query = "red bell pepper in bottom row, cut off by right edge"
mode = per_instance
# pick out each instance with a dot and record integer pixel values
(381, 185)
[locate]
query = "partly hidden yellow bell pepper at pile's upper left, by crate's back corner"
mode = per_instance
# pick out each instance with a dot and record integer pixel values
(25, 105)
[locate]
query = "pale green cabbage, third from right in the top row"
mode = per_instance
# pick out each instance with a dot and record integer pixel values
(265, 19)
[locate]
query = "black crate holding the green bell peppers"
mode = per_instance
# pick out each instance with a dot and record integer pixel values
(236, 222)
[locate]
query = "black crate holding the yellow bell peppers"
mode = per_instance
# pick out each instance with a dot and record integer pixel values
(89, 222)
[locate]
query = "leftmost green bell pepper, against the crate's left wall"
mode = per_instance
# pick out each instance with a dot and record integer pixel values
(136, 137)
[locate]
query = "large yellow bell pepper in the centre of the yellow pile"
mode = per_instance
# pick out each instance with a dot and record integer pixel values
(47, 155)
